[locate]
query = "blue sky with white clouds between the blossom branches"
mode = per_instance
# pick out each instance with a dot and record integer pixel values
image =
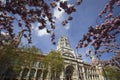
(86, 15)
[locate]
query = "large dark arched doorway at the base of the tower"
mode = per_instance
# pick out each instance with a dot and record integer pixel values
(69, 72)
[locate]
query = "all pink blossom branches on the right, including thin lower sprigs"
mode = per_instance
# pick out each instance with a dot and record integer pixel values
(104, 37)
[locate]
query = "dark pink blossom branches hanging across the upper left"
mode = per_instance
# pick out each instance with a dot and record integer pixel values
(21, 14)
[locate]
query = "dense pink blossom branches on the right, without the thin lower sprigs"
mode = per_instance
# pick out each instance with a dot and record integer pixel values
(105, 33)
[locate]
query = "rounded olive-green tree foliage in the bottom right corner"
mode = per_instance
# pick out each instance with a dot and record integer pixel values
(111, 73)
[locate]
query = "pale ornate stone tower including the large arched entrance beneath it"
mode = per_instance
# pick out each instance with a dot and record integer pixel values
(70, 71)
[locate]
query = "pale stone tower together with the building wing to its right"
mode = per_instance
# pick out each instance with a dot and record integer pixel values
(75, 68)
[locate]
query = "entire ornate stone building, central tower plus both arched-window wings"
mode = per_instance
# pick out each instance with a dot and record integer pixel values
(74, 67)
